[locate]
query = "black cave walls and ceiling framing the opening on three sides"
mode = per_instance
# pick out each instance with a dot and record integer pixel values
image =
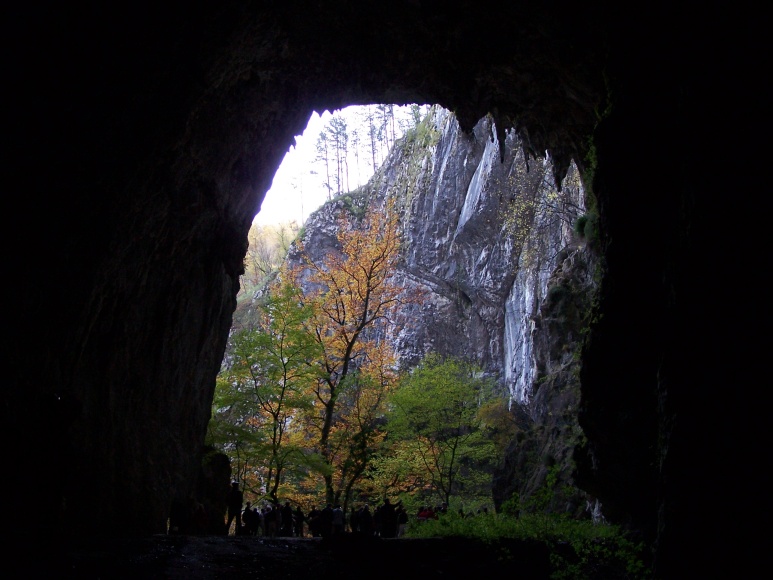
(143, 143)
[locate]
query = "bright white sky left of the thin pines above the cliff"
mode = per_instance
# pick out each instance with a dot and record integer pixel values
(296, 190)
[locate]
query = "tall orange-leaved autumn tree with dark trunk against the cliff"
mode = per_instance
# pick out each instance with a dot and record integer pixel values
(353, 294)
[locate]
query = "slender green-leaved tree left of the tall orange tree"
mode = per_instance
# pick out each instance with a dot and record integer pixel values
(265, 387)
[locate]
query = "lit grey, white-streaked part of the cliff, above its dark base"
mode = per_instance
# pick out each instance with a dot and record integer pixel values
(483, 290)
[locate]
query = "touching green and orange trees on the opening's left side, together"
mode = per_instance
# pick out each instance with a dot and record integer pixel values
(306, 387)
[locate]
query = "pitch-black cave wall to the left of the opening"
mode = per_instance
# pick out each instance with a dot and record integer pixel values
(148, 185)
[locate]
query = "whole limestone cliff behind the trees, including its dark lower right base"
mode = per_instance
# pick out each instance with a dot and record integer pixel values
(512, 301)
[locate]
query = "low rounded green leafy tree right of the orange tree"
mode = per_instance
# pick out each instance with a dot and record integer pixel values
(435, 413)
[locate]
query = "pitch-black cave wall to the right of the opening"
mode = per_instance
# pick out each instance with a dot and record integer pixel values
(661, 426)
